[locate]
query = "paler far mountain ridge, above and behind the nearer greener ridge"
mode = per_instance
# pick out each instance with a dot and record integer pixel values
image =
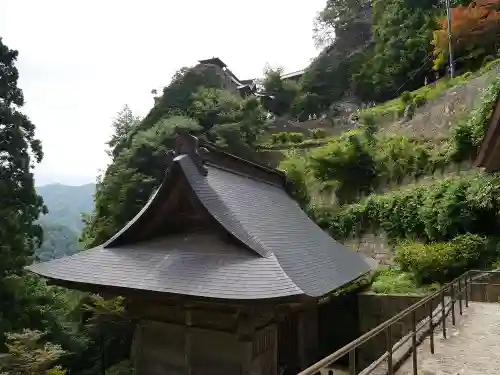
(66, 204)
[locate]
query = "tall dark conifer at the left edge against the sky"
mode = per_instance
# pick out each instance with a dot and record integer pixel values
(19, 149)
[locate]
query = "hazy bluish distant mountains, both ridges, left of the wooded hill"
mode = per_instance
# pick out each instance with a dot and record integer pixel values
(63, 224)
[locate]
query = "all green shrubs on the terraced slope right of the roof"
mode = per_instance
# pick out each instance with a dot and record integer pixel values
(438, 229)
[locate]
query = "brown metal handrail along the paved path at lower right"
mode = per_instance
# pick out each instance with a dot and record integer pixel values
(465, 279)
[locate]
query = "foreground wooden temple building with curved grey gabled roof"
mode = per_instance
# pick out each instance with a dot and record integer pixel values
(221, 268)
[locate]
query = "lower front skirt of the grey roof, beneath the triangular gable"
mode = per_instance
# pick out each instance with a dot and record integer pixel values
(179, 265)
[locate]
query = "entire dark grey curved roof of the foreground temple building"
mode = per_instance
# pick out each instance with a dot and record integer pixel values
(281, 252)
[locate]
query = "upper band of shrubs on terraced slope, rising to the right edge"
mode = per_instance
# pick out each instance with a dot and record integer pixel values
(359, 162)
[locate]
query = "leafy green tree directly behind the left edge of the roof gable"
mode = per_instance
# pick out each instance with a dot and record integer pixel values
(131, 178)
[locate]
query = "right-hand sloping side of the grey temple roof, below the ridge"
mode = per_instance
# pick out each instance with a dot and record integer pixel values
(270, 222)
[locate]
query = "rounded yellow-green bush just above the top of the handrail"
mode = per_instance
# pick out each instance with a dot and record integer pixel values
(442, 261)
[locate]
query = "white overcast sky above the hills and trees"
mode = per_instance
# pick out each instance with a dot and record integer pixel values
(81, 61)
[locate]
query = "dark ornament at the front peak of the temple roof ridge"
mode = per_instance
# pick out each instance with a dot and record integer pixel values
(188, 144)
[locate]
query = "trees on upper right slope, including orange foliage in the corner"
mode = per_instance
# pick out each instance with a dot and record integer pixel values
(383, 48)
